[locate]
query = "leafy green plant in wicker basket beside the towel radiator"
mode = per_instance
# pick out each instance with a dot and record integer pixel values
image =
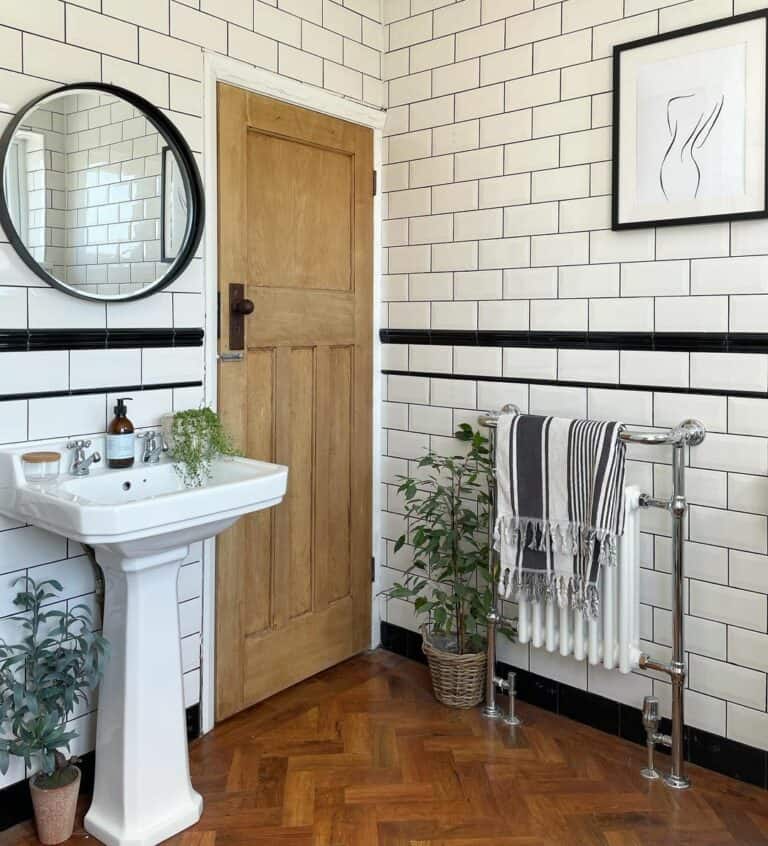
(448, 509)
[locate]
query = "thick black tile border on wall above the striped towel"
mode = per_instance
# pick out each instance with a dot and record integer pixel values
(723, 342)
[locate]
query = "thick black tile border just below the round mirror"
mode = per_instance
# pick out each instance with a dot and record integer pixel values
(28, 340)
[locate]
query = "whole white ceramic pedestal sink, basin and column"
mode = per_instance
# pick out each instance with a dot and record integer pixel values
(141, 522)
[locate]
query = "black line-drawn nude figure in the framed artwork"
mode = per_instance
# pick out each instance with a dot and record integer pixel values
(690, 121)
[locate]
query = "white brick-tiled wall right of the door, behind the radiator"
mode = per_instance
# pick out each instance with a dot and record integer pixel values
(501, 162)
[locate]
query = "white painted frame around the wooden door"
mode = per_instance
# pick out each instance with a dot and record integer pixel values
(217, 69)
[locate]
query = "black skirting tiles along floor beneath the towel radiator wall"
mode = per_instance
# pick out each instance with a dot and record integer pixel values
(725, 756)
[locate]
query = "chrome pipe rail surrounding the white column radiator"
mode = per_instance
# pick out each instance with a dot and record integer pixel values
(689, 433)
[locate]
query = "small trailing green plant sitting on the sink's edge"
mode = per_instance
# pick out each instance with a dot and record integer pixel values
(196, 438)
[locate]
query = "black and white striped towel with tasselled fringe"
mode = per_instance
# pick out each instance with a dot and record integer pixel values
(560, 506)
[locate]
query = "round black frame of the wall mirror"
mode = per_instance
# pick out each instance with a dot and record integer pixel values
(189, 170)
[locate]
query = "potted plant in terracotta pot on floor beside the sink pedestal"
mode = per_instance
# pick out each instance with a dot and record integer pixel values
(43, 680)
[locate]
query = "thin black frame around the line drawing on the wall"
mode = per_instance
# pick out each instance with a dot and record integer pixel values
(618, 51)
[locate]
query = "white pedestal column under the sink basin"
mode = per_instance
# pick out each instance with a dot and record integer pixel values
(142, 792)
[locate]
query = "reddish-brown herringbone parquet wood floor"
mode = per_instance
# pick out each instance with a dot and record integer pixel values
(362, 755)
